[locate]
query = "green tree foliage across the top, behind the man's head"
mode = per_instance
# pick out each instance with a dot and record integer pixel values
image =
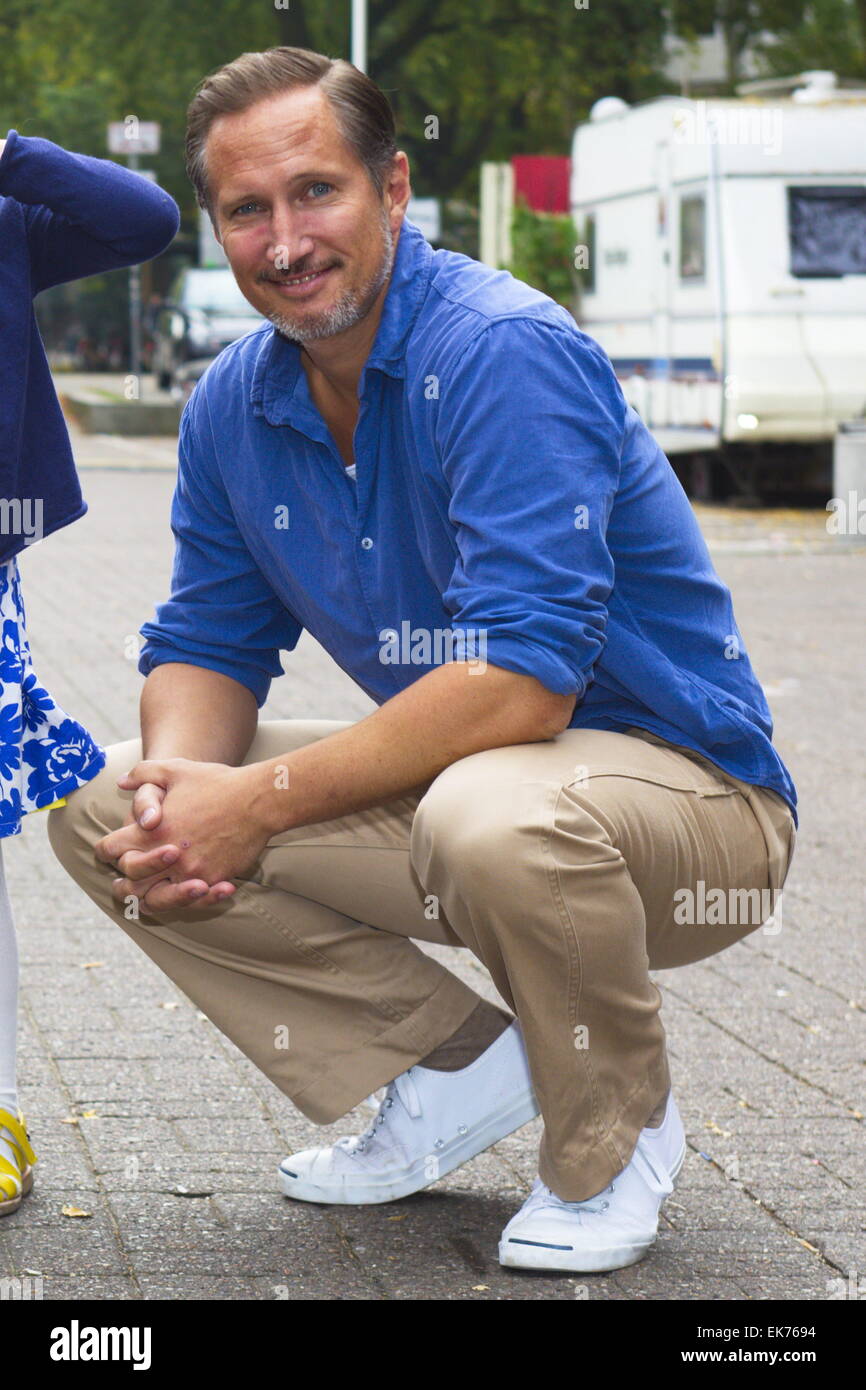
(501, 77)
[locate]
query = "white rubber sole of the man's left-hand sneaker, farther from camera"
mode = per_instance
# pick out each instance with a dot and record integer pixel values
(414, 1179)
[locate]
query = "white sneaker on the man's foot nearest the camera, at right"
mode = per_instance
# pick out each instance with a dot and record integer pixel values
(610, 1231)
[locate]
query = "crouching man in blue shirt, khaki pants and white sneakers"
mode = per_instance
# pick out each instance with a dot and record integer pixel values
(418, 445)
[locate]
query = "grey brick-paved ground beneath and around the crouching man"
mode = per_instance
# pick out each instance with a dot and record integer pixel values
(149, 1121)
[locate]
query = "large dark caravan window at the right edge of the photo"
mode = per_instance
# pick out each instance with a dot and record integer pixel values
(828, 231)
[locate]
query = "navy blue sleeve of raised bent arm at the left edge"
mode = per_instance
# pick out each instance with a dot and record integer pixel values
(84, 216)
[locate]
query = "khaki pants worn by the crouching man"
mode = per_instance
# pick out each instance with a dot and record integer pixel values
(571, 868)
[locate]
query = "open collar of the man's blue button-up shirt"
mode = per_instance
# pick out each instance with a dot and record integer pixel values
(279, 387)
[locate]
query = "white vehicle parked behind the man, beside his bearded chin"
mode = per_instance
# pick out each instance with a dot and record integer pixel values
(204, 315)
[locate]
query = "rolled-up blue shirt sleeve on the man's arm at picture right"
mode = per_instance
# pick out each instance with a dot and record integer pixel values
(529, 430)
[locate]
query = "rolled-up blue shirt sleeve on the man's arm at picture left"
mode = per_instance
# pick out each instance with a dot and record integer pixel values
(222, 612)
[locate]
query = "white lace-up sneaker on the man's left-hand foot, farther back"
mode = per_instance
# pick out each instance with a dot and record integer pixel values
(429, 1124)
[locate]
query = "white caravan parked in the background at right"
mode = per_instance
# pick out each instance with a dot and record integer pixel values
(725, 245)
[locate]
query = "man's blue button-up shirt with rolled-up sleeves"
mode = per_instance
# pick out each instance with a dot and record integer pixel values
(508, 508)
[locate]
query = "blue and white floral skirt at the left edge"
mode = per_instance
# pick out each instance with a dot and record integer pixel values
(44, 754)
